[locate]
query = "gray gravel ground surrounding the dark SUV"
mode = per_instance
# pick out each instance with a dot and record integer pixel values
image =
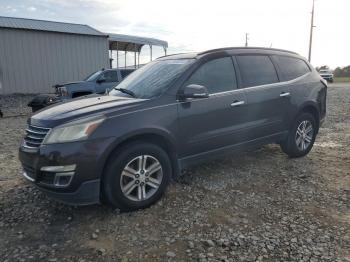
(255, 206)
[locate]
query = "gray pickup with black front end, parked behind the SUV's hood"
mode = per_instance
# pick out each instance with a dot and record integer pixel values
(96, 83)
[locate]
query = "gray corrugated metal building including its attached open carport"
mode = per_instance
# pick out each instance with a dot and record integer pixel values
(37, 54)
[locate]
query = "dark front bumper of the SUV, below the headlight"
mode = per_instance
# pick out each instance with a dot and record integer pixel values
(87, 158)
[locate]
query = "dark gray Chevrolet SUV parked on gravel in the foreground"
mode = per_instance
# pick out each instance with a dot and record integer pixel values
(124, 147)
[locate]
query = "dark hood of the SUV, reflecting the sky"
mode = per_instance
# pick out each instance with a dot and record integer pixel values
(77, 108)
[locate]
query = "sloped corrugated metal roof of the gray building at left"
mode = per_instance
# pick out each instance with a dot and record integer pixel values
(50, 26)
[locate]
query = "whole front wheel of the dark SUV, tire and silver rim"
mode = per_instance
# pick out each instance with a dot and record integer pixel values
(136, 176)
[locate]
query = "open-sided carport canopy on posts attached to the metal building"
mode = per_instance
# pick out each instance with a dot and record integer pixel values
(128, 43)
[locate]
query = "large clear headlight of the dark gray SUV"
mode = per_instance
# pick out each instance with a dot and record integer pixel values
(73, 131)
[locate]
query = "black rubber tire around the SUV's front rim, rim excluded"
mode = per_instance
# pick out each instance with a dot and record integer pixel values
(111, 183)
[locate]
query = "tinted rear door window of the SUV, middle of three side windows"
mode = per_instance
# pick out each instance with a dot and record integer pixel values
(256, 70)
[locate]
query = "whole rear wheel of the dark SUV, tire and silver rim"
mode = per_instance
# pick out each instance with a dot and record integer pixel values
(301, 136)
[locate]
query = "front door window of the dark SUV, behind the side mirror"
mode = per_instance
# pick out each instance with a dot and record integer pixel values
(217, 75)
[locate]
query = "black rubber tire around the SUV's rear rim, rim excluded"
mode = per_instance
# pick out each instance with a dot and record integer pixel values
(289, 146)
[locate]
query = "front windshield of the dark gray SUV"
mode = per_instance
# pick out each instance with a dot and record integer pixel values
(152, 79)
